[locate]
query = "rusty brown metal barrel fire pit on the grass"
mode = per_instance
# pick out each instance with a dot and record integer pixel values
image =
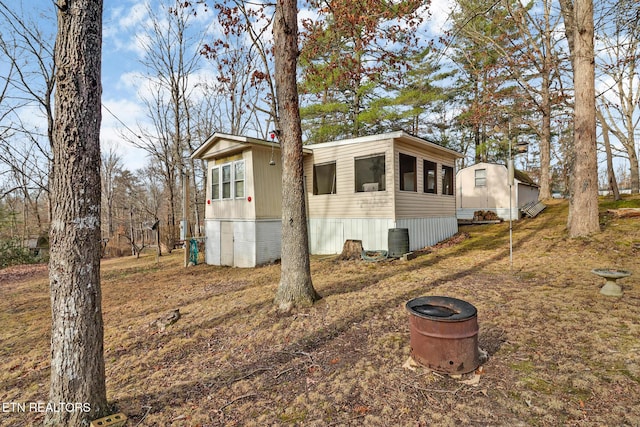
(444, 334)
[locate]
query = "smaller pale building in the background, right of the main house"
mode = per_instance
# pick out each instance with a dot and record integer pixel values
(485, 186)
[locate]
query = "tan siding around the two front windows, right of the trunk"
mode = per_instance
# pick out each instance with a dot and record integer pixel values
(347, 203)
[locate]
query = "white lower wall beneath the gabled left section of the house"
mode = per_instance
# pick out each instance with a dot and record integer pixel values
(254, 242)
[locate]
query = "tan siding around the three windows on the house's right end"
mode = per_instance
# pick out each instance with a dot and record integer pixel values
(419, 204)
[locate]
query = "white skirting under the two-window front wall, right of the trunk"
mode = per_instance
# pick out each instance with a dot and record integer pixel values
(327, 235)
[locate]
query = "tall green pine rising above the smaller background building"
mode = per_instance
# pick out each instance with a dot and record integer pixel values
(483, 42)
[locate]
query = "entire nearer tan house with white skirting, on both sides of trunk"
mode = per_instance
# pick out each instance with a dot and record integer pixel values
(358, 188)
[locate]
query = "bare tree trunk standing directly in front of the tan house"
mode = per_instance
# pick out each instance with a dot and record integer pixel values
(296, 288)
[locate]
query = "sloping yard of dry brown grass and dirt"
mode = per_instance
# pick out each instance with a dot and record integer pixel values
(560, 353)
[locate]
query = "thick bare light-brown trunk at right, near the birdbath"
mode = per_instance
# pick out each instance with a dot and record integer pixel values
(583, 205)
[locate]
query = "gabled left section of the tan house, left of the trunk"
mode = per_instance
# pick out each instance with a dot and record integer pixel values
(243, 200)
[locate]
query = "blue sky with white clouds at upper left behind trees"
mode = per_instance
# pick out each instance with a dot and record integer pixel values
(123, 29)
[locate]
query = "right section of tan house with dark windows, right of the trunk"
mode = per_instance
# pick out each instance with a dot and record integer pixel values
(360, 188)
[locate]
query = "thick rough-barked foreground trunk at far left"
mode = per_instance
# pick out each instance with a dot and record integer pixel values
(77, 357)
